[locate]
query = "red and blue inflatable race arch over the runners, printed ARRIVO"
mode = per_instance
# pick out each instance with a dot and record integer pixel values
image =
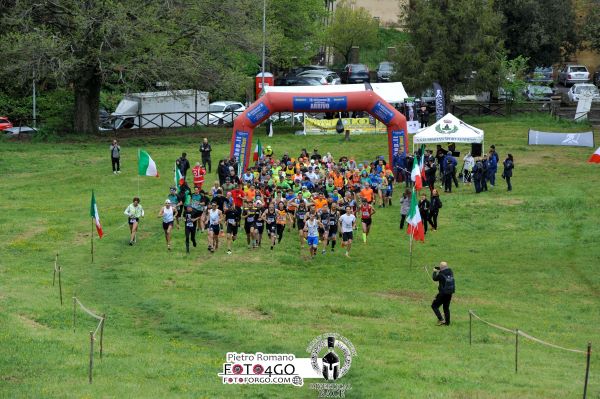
(273, 102)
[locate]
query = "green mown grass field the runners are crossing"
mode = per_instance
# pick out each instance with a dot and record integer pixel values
(527, 259)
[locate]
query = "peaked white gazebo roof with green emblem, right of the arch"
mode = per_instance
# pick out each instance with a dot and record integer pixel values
(449, 129)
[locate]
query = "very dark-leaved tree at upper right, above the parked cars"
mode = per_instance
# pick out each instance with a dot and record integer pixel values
(545, 31)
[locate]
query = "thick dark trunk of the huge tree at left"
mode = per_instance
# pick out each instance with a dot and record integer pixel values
(87, 102)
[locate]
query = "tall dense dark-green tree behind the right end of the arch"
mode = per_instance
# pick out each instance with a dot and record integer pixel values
(456, 43)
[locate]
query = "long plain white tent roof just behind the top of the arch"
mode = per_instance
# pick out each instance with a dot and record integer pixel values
(390, 92)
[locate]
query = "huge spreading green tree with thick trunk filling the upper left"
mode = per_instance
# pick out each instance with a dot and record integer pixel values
(189, 44)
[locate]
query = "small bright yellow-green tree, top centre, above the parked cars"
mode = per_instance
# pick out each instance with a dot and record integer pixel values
(351, 27)
